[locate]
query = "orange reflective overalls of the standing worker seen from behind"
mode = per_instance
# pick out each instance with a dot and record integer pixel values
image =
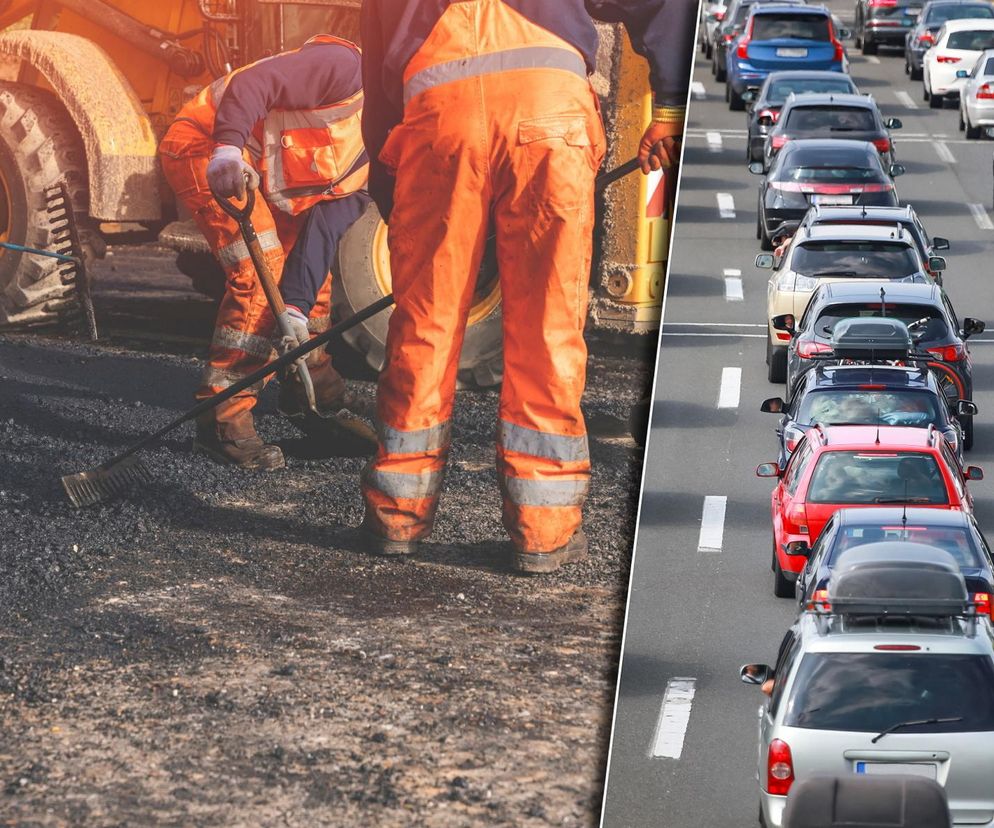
(501, 130)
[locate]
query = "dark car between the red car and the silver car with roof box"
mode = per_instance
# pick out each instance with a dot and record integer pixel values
(954, 532)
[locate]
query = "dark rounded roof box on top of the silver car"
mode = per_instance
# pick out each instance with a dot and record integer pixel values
(897, 578)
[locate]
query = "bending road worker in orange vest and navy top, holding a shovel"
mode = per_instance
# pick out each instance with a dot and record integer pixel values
(290, 126)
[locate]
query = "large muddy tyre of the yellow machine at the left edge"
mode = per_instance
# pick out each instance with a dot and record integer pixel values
(39, 146)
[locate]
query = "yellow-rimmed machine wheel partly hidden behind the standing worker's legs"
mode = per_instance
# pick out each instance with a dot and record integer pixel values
(364, 276)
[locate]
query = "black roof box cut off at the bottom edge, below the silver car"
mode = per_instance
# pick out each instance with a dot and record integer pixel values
(856, 801)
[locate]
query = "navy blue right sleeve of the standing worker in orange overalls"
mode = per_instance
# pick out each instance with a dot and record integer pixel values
(662, 31)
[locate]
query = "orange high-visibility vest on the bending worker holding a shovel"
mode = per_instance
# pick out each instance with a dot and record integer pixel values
(303, 156)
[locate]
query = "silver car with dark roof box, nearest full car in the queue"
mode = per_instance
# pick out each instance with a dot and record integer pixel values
(855, 692)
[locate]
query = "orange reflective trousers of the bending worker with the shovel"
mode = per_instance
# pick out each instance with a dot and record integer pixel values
(242, 340)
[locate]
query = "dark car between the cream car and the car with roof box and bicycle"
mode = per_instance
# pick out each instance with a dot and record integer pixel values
(924, 308)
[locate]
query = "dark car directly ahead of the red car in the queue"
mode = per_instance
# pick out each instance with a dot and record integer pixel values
(894, 395)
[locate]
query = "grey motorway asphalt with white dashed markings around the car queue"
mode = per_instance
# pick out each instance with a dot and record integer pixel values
(684, 746)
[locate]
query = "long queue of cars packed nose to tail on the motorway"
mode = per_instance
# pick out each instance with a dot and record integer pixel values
(889, 666)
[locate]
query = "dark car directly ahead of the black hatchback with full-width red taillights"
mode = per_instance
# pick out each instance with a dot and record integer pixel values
(820, 115)
